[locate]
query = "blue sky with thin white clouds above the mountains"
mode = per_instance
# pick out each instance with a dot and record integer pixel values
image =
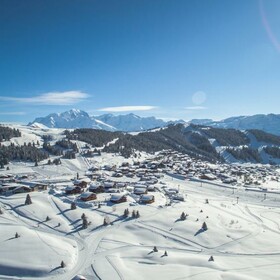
(167, 58)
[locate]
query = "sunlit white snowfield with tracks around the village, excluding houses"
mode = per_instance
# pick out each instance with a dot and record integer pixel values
(243, 234)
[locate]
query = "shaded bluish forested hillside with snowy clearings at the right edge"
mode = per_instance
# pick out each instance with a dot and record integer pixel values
(236, 146)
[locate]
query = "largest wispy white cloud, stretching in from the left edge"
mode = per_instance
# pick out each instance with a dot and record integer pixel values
(51, 98)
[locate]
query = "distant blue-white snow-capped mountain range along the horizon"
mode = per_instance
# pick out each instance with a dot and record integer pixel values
(130, 122)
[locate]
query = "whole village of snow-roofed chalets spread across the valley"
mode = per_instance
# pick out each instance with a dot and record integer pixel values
(142, 178)
